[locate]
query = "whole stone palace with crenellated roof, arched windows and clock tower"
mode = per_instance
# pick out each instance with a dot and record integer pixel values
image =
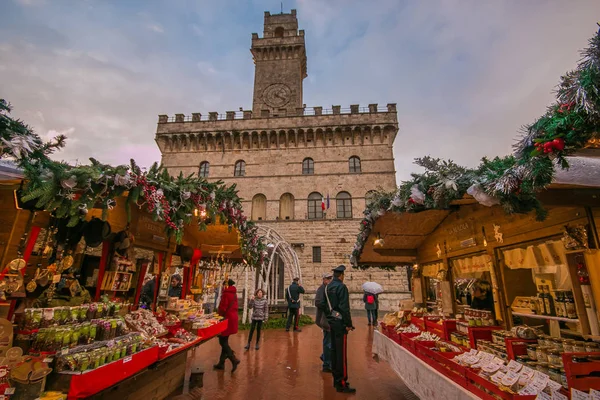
(286, 158)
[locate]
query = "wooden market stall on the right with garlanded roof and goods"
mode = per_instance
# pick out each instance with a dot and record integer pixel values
(505, 260)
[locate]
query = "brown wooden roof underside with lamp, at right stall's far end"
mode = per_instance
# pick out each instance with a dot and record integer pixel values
(402, 234)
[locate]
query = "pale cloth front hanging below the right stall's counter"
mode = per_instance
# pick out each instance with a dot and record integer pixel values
(420, 378)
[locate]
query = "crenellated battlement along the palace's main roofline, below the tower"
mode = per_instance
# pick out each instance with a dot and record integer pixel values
(354, 126)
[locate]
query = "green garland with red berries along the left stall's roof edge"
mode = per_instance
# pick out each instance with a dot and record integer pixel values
(70, 191)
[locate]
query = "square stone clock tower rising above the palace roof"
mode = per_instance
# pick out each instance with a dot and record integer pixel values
(280, 66)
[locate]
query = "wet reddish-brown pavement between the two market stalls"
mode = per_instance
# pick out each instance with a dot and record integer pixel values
(287, 367)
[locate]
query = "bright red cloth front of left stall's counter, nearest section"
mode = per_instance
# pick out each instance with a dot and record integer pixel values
(91, 382)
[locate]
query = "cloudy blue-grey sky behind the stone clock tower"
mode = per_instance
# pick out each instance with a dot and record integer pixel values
(466, 74)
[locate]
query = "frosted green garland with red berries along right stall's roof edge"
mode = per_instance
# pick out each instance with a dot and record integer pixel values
(512, 181)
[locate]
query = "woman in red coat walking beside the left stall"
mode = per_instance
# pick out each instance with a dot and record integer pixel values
(228, 308)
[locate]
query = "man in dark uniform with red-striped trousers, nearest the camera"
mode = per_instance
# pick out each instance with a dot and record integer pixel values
(337, 304)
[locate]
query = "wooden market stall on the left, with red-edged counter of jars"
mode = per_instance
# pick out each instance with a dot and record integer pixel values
(103, 290)
